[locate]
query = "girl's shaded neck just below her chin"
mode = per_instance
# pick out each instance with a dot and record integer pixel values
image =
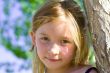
(60, 70)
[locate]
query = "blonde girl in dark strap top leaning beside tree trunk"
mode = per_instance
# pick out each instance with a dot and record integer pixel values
(58, 39)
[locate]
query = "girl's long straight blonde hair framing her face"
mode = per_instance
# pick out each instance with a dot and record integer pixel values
(53, 10)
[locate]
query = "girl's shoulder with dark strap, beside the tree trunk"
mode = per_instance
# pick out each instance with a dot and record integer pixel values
(84, 69)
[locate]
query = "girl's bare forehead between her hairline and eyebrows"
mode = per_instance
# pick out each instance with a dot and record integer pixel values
(56, 27)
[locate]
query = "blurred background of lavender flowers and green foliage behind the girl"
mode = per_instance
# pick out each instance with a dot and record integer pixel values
(15, 42)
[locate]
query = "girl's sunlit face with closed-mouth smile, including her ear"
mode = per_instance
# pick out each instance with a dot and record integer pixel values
(54, 44)
